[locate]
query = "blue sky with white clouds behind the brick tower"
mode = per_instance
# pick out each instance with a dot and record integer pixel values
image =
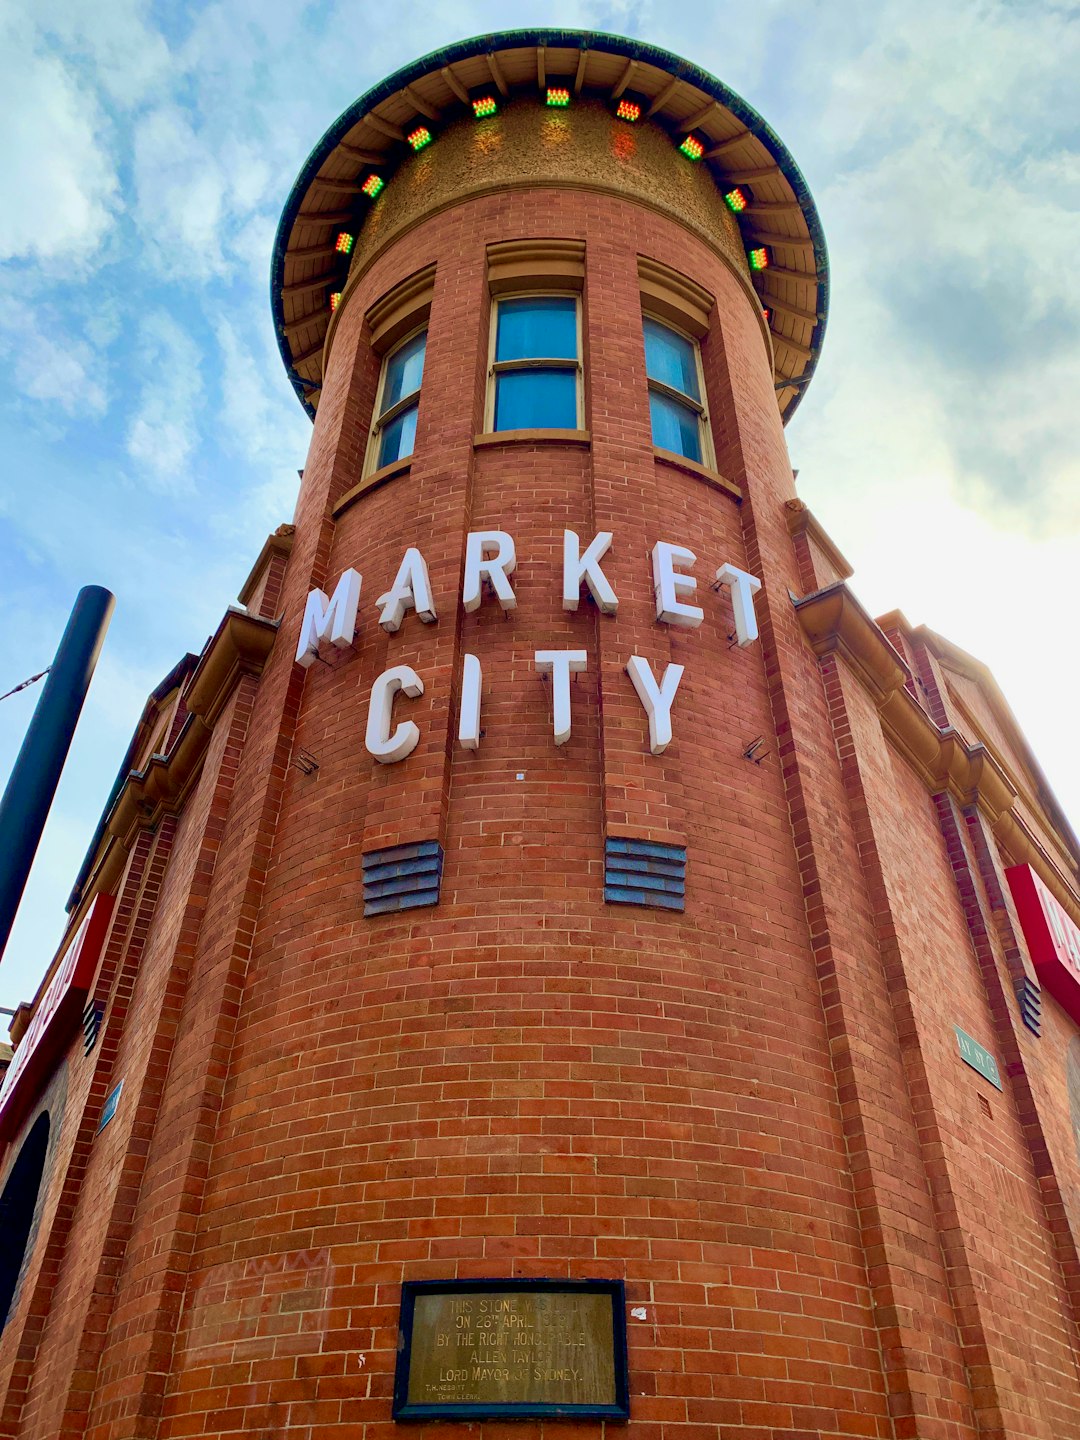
(149, 437)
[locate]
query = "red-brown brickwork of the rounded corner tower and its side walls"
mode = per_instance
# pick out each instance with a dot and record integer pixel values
(751, 1110)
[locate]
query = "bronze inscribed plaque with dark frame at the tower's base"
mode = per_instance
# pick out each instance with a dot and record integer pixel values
(476, 1350)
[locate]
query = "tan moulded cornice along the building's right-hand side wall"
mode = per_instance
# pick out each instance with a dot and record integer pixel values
(836, 624)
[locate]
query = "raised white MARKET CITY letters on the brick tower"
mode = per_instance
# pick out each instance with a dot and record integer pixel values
(490, 559)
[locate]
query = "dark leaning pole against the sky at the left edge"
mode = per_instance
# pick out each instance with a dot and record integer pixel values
(32, 786)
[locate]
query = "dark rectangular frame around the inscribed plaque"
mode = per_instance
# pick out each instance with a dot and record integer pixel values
(515, 1410)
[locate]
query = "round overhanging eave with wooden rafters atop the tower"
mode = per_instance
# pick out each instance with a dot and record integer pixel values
(742, 150)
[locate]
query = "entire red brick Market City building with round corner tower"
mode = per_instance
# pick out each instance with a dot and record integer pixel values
(624, 905)
